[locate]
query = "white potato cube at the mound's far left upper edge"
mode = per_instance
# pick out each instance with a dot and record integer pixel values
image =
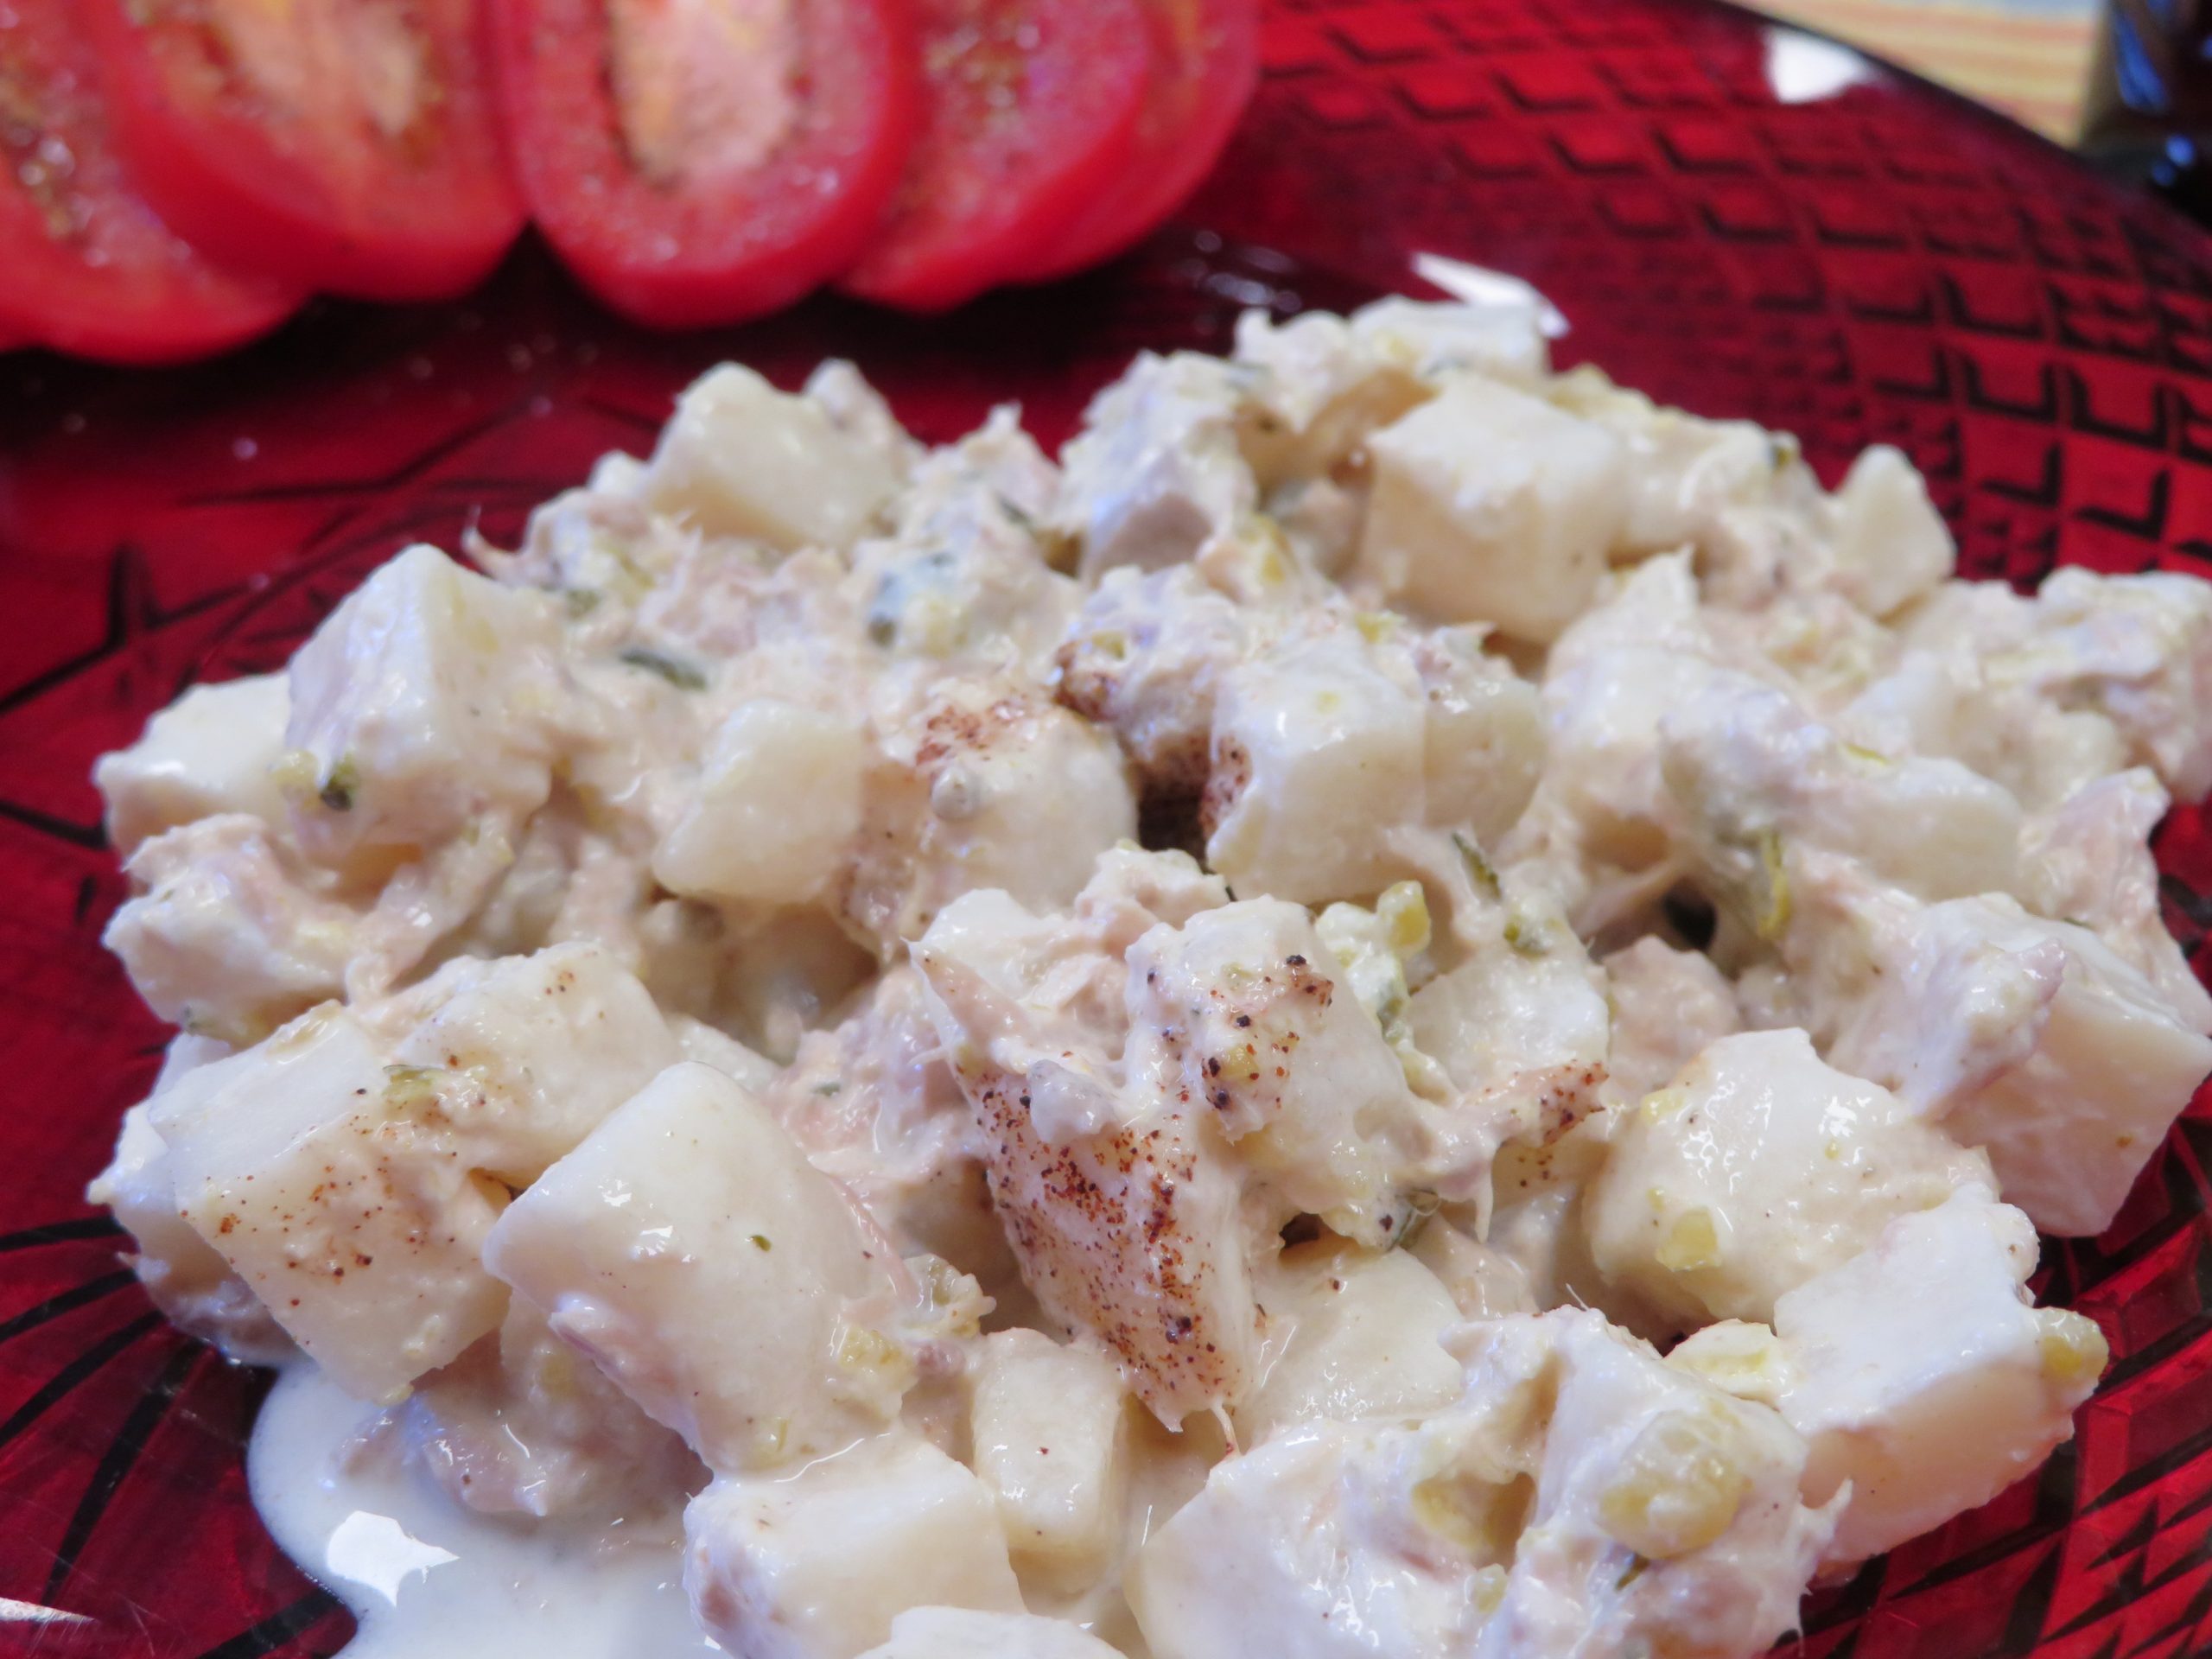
(207, 753)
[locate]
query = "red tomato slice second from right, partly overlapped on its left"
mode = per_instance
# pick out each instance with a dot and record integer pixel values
(1030, 109)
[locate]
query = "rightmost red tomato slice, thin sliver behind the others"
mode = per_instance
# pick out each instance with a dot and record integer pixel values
(1207, 70)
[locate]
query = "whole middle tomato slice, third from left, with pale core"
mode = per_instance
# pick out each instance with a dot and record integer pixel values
(707, 160)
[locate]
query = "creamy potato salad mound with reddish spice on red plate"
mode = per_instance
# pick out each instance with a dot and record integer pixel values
(1404, 1008)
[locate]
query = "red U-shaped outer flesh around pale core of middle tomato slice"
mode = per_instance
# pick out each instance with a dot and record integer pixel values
(707, 251)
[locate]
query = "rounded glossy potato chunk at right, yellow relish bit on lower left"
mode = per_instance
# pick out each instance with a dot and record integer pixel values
(1755, 1171)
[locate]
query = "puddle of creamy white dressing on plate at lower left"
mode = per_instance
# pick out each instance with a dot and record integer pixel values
(432, 1580)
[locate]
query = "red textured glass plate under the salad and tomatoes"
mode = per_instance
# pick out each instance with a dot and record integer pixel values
(1879, 262)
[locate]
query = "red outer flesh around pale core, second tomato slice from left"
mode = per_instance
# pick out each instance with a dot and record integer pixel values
(346, 213)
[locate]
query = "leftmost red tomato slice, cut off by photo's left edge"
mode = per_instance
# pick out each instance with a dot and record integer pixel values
(90, 269)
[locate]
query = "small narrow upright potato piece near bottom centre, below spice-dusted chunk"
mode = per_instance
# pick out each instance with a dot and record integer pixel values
(1052, 1443)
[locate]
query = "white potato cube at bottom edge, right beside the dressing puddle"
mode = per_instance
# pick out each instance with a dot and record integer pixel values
(817, 1565)
